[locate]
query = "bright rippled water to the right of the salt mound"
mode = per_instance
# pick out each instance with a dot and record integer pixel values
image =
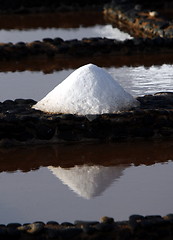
(141, 80)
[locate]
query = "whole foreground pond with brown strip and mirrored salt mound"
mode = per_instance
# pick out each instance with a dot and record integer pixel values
(122, 183)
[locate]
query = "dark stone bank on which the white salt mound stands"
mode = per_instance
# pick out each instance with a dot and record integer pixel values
(20, 124)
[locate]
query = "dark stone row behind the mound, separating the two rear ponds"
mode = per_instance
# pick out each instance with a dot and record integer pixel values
(87, 47)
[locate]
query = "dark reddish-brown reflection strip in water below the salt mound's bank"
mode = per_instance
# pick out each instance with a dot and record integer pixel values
(68, 156)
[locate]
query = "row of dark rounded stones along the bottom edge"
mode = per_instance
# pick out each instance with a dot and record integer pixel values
(137, 227)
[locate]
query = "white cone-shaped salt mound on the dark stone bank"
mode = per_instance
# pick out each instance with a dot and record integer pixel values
(88, 90)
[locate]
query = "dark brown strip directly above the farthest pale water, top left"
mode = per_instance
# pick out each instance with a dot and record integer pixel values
(51, 20)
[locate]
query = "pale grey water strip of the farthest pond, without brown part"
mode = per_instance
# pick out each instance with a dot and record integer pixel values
(30, 35)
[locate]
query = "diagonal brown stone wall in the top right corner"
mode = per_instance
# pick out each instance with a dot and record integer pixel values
(138, 21)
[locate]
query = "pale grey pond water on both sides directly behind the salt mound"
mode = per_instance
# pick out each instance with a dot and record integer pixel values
(135, 80)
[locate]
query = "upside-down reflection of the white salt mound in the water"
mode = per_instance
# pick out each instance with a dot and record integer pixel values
(88, 181)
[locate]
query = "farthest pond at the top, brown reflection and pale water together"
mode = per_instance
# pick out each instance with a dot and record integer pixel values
(28, 28)
